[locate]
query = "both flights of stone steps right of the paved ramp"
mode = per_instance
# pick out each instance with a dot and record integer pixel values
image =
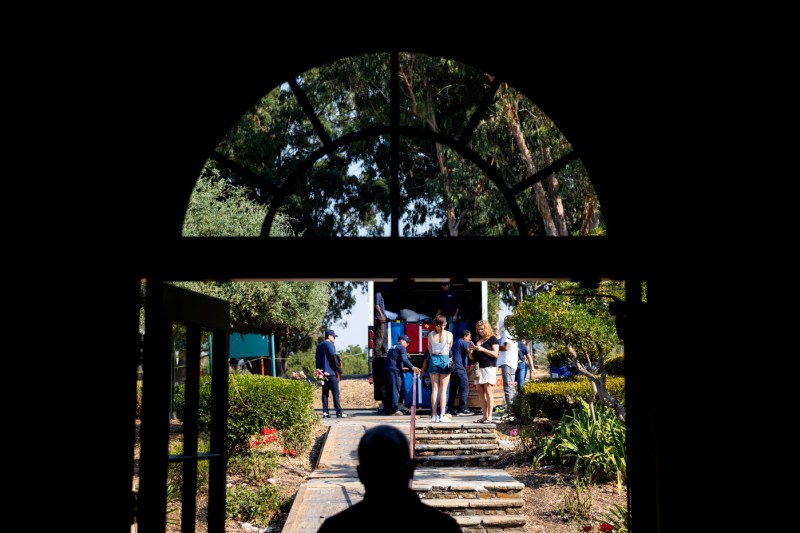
(455, 475)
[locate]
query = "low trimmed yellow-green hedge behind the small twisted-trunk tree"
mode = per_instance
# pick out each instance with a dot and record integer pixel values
(551, 398)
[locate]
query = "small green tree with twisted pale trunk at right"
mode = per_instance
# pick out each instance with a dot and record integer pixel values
(579, 320)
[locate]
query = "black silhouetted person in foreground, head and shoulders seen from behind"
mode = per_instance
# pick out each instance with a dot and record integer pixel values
(386, 469)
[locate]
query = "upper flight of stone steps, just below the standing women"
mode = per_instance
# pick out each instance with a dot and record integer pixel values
(456, 444)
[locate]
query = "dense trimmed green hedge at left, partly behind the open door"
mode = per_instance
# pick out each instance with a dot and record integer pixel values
(256, 402)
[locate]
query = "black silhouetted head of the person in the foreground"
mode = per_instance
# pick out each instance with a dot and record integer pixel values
(384, 460)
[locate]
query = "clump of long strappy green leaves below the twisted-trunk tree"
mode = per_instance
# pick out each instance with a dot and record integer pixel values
(595, 449)
